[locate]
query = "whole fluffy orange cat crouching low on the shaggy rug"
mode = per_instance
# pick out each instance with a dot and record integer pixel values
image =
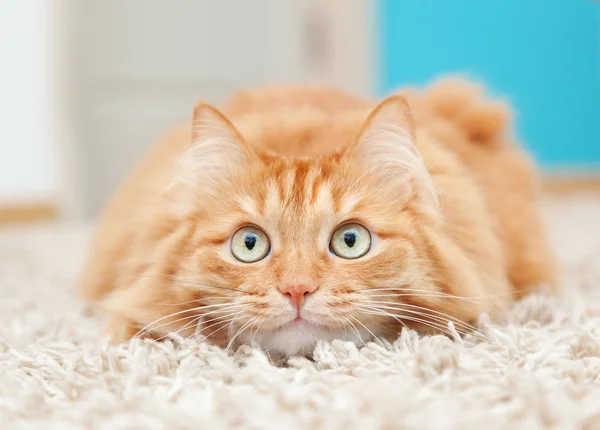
(454, 227)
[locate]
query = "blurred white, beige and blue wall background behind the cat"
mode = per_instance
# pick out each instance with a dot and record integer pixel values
(86, 85)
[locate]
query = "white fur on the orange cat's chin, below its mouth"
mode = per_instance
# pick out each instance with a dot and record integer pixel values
(301, 338)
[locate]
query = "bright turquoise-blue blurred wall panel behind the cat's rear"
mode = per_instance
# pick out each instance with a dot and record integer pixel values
(543, 55)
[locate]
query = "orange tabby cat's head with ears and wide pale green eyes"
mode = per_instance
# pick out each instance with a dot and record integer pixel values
(288, 250)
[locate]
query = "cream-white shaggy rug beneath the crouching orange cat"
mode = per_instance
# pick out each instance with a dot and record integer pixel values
(541, 368)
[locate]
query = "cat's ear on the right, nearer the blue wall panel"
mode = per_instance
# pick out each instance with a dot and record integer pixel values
(386, 146)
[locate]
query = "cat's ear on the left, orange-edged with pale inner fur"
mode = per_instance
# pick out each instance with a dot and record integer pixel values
(217, 153)
